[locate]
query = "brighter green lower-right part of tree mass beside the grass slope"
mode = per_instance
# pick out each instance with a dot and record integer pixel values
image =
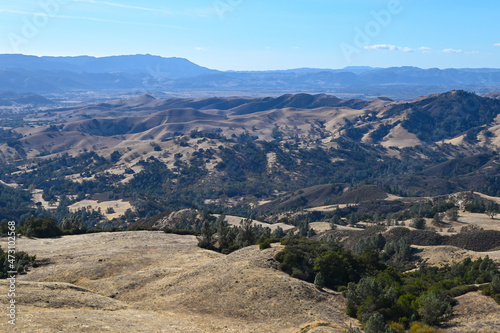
(423, 295)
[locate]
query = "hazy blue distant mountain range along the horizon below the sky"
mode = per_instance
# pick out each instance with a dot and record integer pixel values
(155, 75)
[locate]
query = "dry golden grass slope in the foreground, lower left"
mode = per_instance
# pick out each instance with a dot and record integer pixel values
(156, 282)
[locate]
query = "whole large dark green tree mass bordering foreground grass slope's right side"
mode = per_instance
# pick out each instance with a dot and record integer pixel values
(378, 293)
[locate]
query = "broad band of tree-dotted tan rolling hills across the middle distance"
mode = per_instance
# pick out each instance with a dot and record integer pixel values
(239, 152)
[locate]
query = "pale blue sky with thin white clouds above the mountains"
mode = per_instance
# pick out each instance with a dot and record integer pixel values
(261, 34)
